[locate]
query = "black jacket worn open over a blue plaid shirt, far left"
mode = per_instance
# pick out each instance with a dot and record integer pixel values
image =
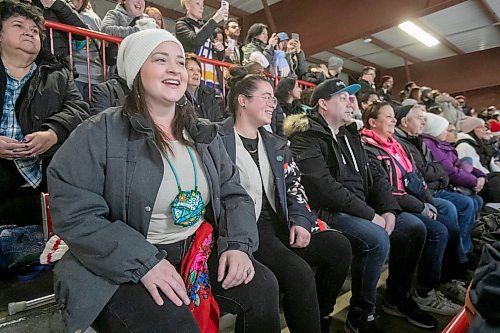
(49, 100)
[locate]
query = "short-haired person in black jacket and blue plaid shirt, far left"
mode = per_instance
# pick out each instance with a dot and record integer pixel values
(40, 108)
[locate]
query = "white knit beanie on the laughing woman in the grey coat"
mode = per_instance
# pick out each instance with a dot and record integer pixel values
(136, 48)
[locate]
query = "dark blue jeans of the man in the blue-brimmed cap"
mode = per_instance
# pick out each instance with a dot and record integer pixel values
(370, 246)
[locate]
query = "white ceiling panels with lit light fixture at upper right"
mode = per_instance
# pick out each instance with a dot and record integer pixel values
(466, 26)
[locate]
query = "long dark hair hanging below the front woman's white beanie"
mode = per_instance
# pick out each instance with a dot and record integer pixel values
(135, 104)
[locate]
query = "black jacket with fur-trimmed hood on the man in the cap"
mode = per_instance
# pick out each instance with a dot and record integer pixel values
(313, 149)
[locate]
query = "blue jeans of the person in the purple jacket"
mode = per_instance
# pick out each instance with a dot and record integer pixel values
(468, 208)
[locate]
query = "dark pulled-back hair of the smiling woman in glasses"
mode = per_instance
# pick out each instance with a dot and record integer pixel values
(241, 83)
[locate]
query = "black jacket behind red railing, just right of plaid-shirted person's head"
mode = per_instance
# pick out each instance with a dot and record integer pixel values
(61, 12)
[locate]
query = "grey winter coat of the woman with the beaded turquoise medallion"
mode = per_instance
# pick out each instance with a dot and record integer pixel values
(103, 183)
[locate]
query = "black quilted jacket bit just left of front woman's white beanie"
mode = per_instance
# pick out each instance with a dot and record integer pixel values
(108, 94)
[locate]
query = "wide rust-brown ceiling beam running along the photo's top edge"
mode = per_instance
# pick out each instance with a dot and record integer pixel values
(333, 22)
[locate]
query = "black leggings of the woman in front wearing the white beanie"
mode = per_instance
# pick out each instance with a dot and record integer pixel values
(132, 309)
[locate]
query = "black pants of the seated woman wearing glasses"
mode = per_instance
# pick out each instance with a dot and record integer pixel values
(307, 296)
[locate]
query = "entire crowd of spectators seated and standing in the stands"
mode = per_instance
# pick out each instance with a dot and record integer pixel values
(184, 189)
